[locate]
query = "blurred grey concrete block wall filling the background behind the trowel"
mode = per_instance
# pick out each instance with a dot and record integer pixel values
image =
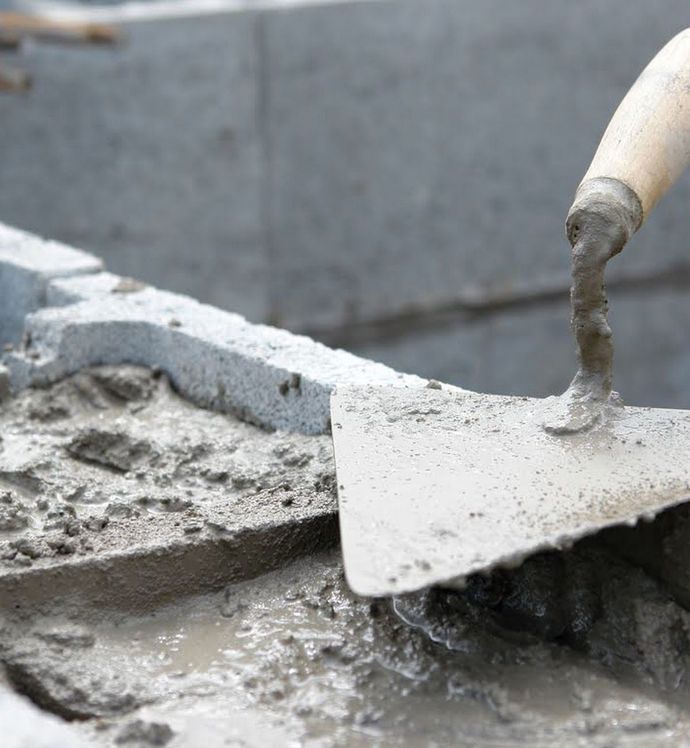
(389, 175)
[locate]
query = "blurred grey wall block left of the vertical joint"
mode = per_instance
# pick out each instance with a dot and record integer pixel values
(148, 153)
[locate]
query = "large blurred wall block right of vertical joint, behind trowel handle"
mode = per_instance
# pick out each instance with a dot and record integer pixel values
(423, 151)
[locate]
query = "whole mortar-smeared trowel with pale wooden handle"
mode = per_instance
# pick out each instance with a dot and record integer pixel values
(440, 483)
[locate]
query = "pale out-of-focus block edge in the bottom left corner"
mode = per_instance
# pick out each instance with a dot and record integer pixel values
(26, 726)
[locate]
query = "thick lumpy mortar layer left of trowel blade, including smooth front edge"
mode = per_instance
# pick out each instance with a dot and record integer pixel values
(108, 472)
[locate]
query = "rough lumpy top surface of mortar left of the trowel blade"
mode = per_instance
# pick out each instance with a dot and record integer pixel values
(112, 458)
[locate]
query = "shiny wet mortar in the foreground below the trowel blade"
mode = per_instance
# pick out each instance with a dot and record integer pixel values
(293, 658)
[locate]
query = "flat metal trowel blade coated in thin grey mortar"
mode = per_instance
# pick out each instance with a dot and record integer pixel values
(436, 485)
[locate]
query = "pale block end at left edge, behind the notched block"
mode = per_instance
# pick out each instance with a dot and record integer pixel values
(27, 263)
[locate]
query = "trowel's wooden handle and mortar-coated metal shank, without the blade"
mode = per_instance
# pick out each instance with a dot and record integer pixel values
(644, 150)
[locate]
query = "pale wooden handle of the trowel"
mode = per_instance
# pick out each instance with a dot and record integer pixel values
(646, 146)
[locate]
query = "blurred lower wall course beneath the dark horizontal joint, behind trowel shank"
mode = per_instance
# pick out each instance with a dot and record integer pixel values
(531, 351)
